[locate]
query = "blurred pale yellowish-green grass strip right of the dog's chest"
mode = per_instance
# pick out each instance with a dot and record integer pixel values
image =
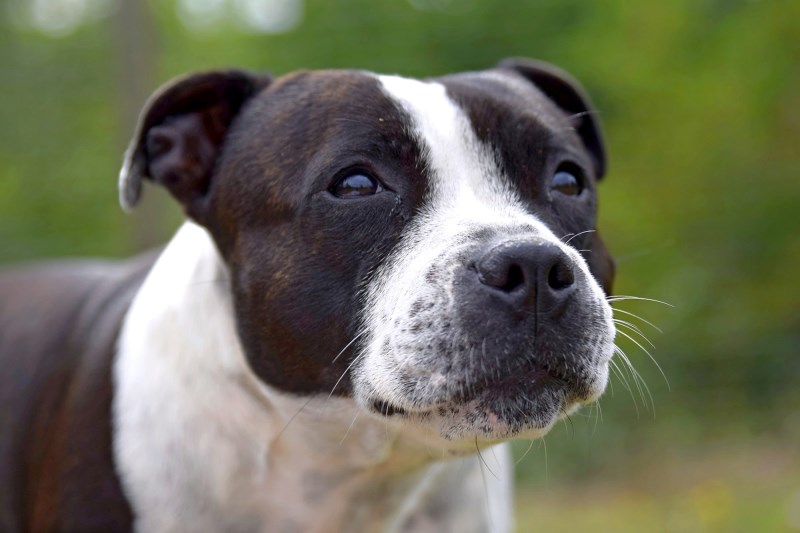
(741, 489)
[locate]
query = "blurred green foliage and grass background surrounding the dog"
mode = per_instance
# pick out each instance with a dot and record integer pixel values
(701, 105)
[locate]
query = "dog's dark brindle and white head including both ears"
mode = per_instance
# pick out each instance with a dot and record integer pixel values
(425, 247)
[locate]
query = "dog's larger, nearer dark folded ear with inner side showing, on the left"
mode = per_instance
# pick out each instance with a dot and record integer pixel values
(180, 134)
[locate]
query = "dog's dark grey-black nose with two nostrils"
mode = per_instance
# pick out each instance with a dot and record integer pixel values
(528, 274)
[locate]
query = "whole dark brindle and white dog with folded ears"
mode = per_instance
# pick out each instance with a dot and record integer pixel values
(381, 280)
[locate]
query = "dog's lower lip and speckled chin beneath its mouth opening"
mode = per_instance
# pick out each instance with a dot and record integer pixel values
(498, 411)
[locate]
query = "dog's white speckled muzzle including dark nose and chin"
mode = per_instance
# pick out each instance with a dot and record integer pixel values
(494, 339)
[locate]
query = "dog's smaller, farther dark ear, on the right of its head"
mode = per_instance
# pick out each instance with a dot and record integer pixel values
(567, 94)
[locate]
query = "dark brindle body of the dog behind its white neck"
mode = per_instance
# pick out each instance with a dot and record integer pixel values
(58, 327)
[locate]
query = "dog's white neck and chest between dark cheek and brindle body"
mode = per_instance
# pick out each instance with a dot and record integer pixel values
(201, 444)
